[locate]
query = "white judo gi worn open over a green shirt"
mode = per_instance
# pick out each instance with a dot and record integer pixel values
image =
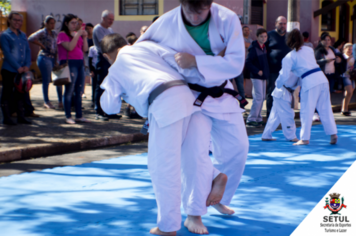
(223, 120)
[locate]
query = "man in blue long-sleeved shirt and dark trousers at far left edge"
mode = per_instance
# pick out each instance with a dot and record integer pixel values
(17, 59)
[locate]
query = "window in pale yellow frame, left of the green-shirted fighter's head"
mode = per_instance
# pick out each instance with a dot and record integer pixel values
(138, 7)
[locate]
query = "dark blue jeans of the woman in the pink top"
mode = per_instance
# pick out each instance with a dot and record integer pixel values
(76, 68)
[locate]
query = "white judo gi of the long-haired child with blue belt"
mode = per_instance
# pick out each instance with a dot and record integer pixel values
(314, 93)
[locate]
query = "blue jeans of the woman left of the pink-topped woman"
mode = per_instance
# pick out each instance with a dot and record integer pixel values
(45, 65)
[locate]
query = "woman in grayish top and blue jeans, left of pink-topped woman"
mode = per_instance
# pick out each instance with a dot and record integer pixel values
(46, 38)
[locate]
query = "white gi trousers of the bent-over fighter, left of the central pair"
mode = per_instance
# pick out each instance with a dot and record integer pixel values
(165, 146)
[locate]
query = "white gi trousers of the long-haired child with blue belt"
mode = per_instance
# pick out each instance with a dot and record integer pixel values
(317, 97)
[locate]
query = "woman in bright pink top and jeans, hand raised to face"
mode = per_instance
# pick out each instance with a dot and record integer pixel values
(71, 47)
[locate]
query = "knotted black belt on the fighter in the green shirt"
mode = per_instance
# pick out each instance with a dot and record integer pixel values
(215, 92)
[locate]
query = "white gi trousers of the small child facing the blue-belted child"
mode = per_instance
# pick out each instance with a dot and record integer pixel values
(281, 113)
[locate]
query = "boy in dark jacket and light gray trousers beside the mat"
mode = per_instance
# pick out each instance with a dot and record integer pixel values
(257, 64)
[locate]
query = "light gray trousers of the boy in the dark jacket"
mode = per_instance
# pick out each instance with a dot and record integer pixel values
(259, 95)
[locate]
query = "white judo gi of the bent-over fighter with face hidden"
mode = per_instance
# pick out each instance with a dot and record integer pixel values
(137, 71)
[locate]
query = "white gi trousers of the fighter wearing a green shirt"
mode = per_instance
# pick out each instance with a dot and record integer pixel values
(230, 144)
